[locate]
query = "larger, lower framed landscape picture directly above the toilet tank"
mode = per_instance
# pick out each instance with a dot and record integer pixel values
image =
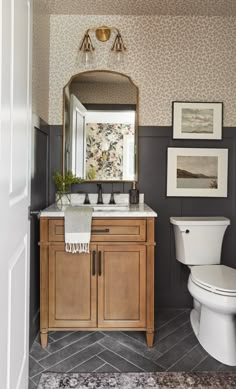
(197, 172)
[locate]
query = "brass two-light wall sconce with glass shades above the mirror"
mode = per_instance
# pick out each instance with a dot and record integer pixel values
(102, 34)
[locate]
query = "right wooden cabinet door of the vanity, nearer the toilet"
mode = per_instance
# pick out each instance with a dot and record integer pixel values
(121, 286)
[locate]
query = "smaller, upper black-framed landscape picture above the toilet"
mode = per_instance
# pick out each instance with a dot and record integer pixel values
(197, 120)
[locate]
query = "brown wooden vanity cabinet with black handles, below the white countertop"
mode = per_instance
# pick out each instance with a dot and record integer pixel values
(112, 287)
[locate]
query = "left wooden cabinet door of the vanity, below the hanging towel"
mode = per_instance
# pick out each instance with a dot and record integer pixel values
(72, 288)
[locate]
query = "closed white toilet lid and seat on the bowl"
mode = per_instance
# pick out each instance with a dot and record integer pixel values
(216, 278)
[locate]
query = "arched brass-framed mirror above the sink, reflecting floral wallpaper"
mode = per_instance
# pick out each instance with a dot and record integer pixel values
(100, 117)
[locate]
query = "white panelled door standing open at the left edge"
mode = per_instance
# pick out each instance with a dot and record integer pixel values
(15, 128)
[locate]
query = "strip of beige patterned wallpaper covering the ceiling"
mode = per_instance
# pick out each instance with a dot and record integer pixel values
(140, 7)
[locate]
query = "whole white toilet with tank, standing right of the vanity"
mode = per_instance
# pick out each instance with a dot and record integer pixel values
(198, 243)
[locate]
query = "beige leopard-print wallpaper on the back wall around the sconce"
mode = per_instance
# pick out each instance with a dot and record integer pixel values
(182, 58)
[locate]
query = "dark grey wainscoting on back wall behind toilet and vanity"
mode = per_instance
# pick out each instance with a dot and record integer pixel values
(170, 276)
